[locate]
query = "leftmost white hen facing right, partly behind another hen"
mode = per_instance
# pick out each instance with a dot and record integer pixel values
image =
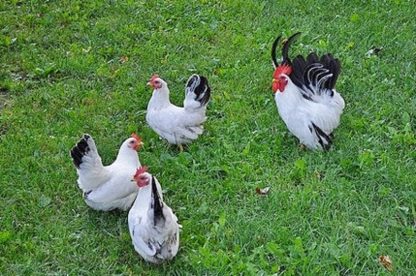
(109, 187)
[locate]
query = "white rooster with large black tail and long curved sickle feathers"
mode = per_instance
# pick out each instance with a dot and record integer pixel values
(305, 96)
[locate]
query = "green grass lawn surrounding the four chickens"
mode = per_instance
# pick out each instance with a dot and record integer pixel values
(70, 67)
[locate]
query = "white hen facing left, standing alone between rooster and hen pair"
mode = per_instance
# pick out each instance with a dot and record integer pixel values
(178, 125)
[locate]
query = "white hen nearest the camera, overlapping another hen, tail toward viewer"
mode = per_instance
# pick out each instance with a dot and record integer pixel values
(153, 227)
